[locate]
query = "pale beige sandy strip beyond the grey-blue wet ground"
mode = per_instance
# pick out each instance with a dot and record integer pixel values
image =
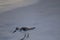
(6, 5)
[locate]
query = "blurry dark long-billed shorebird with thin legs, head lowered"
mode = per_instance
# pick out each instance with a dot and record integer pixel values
(24, 29)
